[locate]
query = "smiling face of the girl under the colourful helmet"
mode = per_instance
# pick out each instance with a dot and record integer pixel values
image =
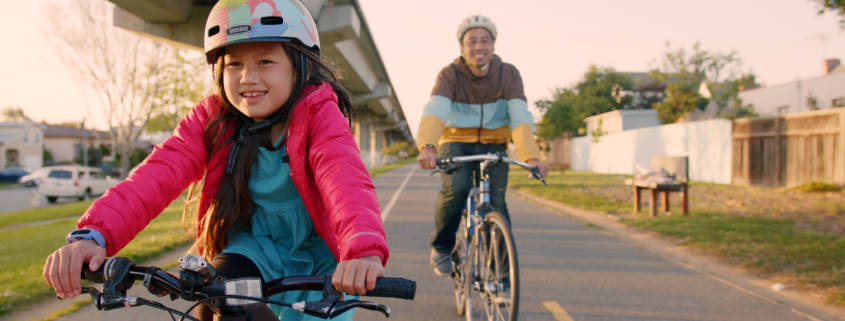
(258, 77)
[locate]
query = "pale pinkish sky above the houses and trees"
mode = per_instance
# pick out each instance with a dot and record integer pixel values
(551, 42)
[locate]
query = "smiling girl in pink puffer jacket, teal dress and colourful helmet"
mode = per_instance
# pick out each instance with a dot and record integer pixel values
(283, 188)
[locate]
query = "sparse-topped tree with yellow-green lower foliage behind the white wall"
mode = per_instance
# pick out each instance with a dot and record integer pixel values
(684, 71)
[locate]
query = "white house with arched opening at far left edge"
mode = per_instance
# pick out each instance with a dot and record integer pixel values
(21, 145)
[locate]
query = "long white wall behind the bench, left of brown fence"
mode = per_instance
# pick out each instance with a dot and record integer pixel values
(706, 143)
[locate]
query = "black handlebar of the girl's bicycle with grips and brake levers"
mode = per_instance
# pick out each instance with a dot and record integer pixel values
(118, 274)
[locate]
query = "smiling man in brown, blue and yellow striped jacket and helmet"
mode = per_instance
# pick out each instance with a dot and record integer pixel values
(477, 106)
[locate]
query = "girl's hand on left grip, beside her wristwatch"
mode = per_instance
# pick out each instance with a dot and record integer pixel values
(63, 268)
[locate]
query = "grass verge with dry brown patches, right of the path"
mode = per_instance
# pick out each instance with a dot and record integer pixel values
(785, 245)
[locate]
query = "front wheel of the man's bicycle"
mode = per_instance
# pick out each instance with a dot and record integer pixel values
(494, 276)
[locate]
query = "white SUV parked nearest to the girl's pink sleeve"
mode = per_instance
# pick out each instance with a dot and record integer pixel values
(74, 181)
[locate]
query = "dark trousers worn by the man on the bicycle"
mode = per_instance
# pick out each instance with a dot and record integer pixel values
(452, 198)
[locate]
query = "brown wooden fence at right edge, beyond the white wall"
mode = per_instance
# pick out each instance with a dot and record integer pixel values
(790, 150)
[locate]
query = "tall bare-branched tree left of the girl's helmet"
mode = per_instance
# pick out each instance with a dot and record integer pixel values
(127, 73)
